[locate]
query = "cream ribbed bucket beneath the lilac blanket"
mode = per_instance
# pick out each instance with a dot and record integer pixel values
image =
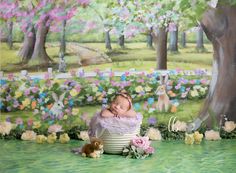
(114, 143)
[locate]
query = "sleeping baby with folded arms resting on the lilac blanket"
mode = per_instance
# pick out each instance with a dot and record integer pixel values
(121, 106)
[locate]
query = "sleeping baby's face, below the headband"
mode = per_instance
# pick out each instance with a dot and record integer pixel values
(120, 105)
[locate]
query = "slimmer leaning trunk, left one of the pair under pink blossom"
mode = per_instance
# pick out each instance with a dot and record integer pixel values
(28, 46)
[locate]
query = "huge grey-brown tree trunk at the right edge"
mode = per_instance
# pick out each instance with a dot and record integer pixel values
(220, 25)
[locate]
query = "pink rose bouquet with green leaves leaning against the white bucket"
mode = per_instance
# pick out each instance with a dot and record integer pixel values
(139, 148)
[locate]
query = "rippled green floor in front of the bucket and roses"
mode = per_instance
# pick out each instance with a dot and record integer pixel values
(170, 156)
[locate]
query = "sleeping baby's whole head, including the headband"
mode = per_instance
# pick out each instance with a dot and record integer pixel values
(121, 103)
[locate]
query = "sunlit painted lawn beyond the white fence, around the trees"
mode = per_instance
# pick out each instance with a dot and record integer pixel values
(135, 55)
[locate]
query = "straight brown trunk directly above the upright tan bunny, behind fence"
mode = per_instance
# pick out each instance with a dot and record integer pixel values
(161, 49)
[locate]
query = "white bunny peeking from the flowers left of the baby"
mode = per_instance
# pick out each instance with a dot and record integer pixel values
(58, 106)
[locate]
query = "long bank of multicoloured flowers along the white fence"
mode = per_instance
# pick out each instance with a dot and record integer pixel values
(36, 94)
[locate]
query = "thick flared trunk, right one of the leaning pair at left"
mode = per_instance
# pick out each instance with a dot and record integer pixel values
(40, 56)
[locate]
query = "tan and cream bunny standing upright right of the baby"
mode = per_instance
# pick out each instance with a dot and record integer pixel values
(163, 98)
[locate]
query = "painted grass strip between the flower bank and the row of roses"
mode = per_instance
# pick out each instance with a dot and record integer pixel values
(186, 112)
